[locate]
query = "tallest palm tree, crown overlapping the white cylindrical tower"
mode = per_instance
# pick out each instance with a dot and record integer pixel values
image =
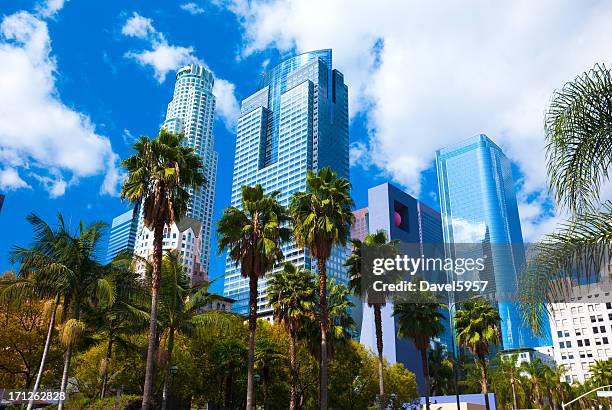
(160, 174)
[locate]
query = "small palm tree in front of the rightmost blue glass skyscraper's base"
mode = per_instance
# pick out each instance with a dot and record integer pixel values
(477, 326)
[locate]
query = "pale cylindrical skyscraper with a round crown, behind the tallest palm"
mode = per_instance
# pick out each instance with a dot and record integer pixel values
(191, 112)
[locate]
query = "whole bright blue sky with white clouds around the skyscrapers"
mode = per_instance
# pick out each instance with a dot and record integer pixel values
(78, 83)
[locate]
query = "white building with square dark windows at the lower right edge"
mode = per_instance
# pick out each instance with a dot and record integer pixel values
(581, 328)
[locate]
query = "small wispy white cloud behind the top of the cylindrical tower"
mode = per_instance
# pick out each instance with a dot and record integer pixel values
(164, 57)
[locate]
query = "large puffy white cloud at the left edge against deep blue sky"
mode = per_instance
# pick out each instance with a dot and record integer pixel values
(38, 131)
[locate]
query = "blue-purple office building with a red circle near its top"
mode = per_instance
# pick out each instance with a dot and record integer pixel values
(410, 221)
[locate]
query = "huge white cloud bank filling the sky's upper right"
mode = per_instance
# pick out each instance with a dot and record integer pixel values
(427, 74)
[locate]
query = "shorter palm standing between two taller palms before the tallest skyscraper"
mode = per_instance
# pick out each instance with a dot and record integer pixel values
(290, 292)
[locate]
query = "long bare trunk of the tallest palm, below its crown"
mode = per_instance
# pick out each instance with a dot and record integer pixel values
(152, 347)
